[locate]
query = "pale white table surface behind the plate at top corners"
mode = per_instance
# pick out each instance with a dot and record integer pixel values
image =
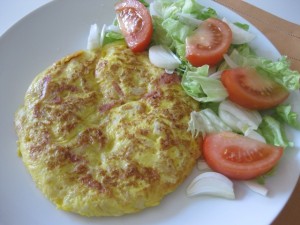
(13, 10)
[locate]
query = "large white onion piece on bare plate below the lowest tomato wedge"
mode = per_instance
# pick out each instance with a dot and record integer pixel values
(213, 184)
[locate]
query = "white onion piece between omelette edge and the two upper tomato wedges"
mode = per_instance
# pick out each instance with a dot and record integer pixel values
(163, 57)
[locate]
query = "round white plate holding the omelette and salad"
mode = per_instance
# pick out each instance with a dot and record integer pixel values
(60, 28)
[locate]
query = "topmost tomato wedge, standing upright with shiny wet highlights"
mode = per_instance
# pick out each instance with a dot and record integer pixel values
(135, 23)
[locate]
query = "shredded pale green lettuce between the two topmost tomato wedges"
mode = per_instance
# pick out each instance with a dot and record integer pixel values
(169, 30)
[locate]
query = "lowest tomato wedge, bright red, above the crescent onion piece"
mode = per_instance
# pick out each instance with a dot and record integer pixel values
(239, 157)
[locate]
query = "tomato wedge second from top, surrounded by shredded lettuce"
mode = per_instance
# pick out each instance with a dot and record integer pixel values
(209, 43)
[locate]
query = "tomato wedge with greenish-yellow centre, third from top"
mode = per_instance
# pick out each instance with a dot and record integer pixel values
(251, 90)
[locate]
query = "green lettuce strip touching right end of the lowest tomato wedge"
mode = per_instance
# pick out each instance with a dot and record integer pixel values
(273, 131)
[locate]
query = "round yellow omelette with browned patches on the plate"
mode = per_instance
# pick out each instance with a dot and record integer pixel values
(104, 133)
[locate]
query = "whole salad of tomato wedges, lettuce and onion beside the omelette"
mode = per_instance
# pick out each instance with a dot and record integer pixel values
(242, 95)
